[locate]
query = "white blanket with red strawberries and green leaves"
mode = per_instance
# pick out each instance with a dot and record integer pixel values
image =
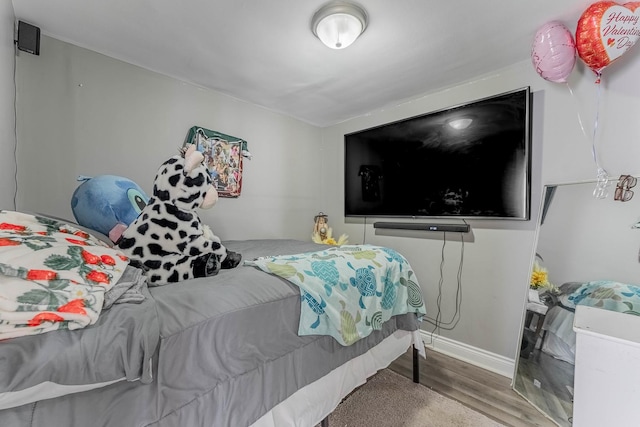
(52, 275)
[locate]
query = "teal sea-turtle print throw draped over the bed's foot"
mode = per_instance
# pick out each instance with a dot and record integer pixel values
(348, 291)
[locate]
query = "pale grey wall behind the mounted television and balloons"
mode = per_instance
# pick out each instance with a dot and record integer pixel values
(497, 256)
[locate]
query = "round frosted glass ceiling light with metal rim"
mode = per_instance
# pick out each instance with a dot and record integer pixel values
(338, 24)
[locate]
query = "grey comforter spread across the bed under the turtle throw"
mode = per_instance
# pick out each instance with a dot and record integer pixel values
(228, 351)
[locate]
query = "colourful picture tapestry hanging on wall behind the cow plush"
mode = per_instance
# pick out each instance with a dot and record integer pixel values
(223, 157)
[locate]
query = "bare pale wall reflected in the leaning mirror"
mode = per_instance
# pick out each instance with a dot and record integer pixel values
(585, 239)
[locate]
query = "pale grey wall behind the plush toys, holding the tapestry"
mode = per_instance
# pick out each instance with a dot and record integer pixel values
(82, 113)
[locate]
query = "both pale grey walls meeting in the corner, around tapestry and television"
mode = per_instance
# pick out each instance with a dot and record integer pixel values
(83, 113)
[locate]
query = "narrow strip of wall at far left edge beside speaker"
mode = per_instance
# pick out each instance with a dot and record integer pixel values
(7, 115)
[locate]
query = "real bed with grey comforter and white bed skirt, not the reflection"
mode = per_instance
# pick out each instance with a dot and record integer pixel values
(223, 351)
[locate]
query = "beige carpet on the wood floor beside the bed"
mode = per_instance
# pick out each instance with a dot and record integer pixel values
(389, 399)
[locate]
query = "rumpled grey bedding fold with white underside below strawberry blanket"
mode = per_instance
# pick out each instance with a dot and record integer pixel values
(119, 346)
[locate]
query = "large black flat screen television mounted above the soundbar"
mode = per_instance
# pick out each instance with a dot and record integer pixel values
(467, 161)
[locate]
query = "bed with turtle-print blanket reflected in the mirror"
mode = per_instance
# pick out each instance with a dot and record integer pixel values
(559, 338)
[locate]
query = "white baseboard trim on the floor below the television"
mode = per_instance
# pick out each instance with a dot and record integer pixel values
(476, 356)
